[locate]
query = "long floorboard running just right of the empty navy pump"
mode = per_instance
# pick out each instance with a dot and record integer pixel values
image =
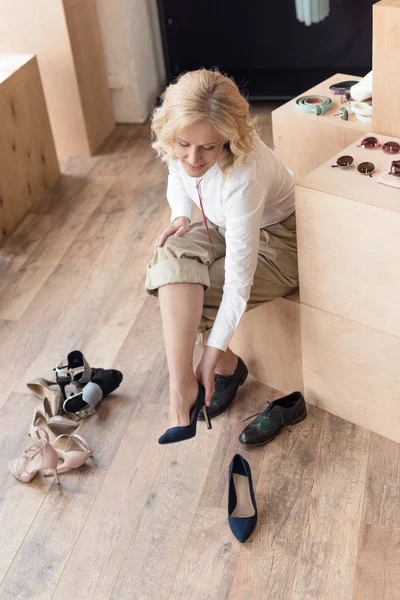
(290, 467)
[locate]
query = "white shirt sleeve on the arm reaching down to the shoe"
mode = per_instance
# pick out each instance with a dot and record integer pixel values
(244, 210)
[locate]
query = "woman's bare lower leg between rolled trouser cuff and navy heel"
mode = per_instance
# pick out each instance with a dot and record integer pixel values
(181, 307)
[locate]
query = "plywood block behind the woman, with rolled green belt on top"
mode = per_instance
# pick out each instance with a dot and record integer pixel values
(305, 141)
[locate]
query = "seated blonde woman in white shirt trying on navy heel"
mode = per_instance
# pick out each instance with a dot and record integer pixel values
(244, 253)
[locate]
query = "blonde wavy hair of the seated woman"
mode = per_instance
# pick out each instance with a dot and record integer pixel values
(199, 96)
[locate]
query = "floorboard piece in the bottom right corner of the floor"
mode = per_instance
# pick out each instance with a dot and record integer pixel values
(378, 574)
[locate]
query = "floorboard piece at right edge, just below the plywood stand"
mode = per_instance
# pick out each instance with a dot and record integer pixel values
(382, 492)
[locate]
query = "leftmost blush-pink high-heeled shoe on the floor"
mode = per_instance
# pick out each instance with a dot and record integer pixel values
(38, 457)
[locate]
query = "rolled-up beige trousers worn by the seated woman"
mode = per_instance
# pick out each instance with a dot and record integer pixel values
(193, 259)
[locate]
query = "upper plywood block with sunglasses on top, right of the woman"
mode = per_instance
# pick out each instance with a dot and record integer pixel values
(349, 242)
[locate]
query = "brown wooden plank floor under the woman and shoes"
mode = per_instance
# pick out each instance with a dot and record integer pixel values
(147, 522)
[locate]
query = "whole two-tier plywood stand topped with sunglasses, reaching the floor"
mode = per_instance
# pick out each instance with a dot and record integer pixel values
(348, 228)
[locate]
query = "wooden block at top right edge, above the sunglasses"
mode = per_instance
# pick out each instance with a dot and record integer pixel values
(386, 67)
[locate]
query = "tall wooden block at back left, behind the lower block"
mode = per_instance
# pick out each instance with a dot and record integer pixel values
(65, 36)
